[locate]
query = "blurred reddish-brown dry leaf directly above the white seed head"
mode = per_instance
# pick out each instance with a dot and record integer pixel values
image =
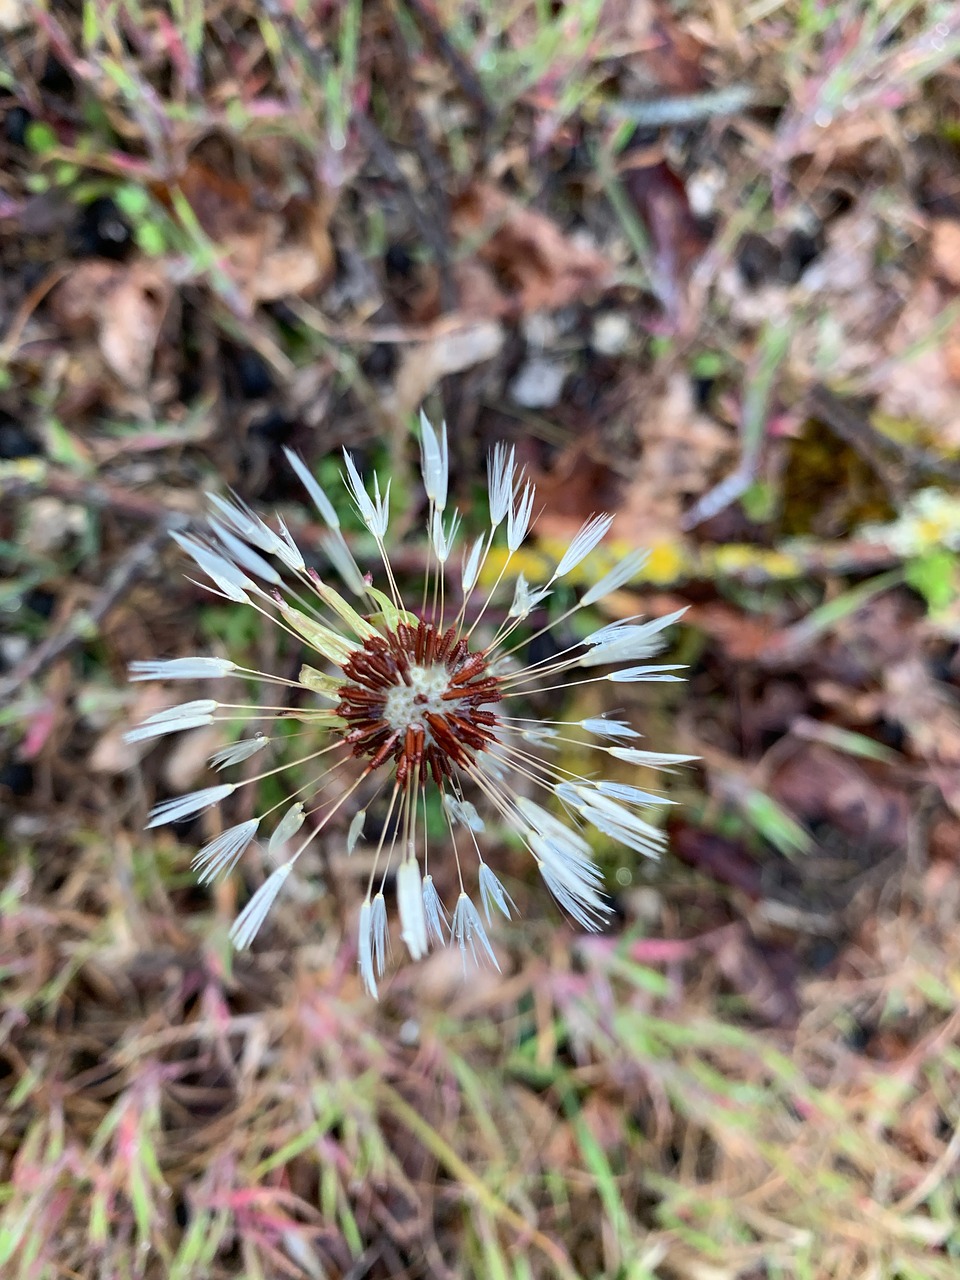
(536, 264)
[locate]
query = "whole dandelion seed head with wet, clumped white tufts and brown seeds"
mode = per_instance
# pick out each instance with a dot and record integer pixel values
(414, 700)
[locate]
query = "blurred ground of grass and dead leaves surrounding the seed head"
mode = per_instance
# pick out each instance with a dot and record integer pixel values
(701, 264)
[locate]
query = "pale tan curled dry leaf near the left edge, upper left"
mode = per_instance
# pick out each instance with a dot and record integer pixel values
(122, 307)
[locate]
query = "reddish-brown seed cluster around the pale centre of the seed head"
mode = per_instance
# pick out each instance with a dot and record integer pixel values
(419, 696)
